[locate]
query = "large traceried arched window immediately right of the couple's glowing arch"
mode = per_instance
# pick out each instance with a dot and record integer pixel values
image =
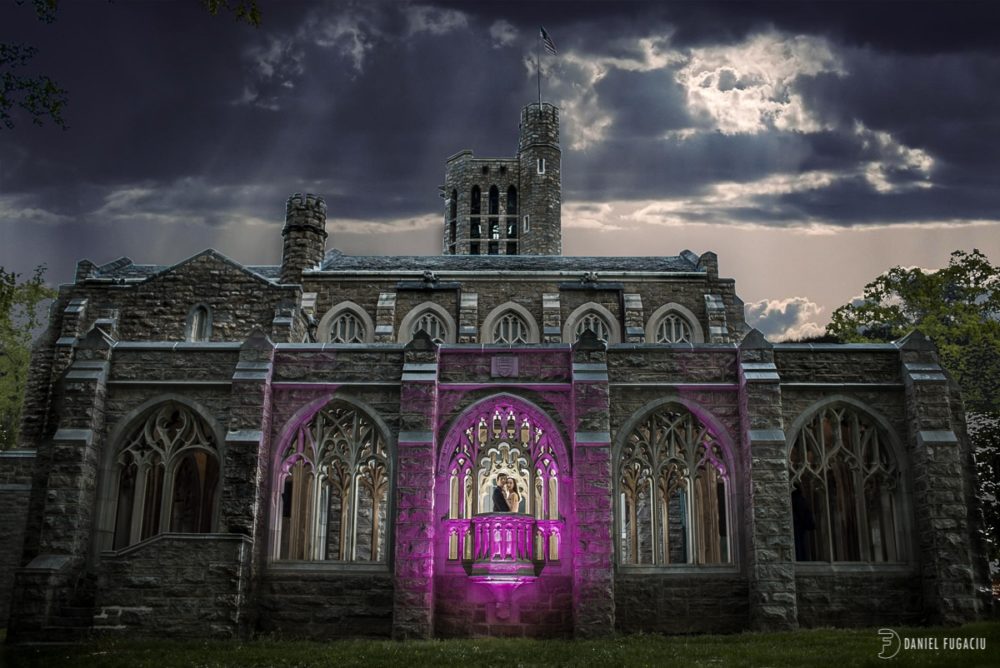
(673, 492)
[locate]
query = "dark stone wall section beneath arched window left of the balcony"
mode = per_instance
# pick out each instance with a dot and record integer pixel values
(324, 601)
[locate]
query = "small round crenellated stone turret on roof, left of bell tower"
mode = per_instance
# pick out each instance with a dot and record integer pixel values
(303, 237)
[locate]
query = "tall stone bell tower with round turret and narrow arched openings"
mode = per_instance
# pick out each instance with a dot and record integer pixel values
(507, 206)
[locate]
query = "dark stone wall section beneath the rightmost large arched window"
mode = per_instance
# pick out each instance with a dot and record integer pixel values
(856, 595)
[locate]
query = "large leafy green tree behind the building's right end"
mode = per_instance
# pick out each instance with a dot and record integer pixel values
(958, 308)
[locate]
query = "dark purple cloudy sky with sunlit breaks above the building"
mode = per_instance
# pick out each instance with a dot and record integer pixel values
(811, 145)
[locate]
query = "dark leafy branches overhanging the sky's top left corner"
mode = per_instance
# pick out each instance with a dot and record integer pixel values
(39, 96)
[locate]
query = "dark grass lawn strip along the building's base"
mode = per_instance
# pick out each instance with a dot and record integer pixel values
(822, 647)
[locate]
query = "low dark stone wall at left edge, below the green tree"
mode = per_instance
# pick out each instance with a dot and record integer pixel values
(15, 489)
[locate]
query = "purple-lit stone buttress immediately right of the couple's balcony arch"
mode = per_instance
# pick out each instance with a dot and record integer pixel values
(593, 573)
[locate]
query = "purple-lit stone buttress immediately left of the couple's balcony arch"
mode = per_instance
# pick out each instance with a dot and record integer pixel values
(413, 591)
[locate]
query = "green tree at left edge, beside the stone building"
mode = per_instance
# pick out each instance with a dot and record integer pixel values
(22, 312)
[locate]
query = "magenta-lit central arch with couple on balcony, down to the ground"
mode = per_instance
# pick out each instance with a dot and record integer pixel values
(503, 486)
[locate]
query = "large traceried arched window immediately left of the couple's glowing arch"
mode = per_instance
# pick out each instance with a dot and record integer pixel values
(333, 489)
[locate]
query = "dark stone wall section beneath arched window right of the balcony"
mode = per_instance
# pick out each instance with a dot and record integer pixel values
(685, 602)
